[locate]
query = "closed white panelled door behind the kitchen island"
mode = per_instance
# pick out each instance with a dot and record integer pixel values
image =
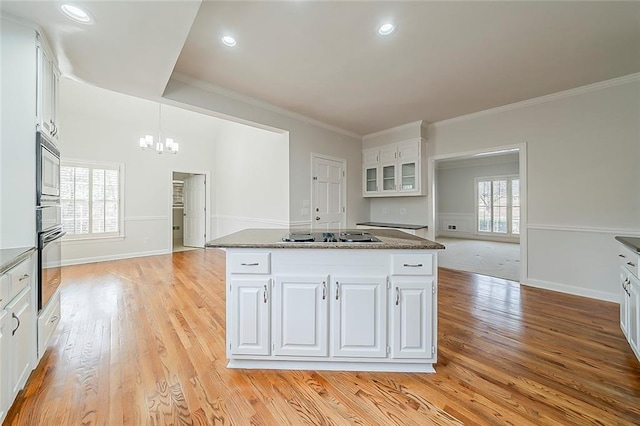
(328, 194)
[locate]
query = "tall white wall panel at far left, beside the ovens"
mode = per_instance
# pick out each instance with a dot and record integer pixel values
(18, 136)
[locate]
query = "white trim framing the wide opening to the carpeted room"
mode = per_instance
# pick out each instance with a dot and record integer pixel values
(524, 227)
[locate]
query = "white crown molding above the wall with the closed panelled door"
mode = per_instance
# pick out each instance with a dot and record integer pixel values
(218, 90)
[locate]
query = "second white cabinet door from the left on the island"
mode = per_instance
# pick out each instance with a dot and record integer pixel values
(300, 316)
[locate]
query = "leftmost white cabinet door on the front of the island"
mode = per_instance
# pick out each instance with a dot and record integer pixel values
(248, 315)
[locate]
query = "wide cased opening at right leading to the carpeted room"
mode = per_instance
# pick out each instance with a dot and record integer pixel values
(459, 218)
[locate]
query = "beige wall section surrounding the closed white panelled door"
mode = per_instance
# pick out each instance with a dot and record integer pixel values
(305, 137)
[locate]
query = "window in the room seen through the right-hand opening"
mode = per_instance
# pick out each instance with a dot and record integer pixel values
(498, 205)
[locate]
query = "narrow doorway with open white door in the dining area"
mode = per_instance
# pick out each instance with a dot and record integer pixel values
(188, 203)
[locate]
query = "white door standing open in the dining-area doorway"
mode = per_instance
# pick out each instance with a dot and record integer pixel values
(194, 211)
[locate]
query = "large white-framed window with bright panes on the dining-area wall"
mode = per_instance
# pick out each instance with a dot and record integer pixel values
(90, 197)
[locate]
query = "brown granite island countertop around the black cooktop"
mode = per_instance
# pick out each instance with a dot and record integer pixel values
(272, 238)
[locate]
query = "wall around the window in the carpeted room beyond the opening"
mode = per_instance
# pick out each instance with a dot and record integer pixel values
(456, 191)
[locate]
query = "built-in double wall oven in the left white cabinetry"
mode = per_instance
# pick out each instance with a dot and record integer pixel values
(48, 218)
